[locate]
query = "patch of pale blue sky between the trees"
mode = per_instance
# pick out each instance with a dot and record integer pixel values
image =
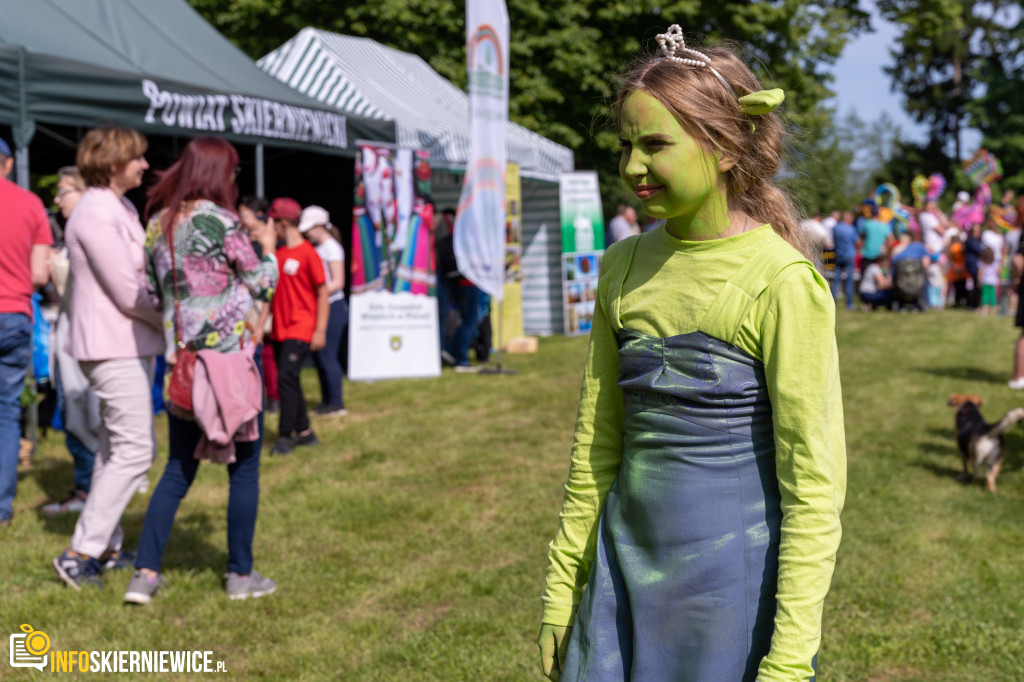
(862, 86)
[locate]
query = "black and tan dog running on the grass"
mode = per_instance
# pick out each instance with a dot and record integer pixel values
(982, 444)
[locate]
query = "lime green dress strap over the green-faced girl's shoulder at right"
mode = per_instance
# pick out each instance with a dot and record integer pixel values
(728, 313)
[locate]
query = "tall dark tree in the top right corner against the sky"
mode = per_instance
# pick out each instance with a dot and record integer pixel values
(944, 56)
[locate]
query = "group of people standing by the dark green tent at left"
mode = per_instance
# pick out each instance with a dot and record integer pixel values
(231, 295)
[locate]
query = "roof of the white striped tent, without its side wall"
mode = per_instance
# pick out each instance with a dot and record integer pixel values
(363, 77)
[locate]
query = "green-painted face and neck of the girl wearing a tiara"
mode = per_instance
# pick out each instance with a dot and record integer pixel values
(668, 170)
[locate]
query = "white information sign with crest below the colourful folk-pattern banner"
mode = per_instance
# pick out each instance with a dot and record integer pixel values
(393, 336)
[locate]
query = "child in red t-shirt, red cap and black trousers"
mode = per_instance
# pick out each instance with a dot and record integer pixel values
(301, 315)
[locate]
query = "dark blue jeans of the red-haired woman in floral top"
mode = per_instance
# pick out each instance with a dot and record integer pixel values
(243, 498)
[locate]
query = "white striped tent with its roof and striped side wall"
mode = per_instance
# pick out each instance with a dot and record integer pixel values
(362, 77)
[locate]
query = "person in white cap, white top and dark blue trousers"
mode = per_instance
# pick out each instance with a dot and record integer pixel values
(316, 228)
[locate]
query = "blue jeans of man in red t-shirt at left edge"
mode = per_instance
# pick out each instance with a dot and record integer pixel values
(16, 351)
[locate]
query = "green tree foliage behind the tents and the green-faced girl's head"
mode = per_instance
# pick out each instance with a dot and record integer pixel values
(566, 57)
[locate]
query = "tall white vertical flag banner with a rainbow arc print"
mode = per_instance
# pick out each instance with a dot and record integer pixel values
(480, 223)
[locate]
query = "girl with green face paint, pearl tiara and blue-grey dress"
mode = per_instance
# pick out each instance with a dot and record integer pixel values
(702, 515)
